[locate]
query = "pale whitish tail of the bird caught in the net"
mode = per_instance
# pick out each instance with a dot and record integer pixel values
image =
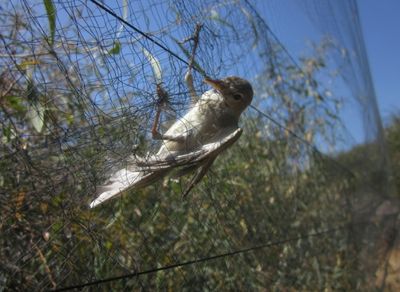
(123, 180)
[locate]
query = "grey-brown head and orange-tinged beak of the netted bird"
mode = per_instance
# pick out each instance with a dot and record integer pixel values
(237, 92)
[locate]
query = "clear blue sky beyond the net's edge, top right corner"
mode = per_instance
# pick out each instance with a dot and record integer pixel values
(381, 28)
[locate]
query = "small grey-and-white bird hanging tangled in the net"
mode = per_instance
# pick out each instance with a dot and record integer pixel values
(192, 143)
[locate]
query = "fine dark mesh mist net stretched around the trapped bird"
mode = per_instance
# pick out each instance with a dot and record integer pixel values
(78, 100)
